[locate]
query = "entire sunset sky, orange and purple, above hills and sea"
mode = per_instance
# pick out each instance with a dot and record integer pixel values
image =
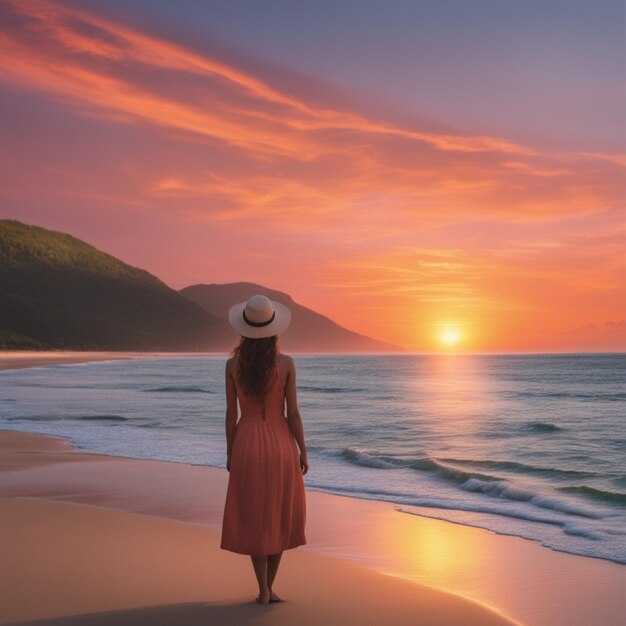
(407, 168)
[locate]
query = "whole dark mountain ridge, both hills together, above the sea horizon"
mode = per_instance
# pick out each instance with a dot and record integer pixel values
(60, 293)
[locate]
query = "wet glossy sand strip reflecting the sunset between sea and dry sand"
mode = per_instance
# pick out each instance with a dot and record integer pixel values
(499, 572)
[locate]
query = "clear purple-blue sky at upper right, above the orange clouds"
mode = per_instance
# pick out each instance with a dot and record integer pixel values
(549, 73)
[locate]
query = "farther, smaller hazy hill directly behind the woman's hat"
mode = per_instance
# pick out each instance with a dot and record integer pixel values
(309, 331)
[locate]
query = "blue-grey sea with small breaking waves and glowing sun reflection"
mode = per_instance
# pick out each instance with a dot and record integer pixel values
(526, 445)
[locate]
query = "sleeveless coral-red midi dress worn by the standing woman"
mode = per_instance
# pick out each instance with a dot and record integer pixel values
(265, 508)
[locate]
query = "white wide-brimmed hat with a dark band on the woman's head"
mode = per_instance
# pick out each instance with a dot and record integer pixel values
(259, 317)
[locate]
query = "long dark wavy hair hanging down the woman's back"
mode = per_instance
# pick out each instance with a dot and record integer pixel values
(256, 364)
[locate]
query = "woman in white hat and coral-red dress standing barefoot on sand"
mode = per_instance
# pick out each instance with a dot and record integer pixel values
(265, 505)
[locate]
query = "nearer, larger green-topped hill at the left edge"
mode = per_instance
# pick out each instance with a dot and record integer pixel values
(58, 292)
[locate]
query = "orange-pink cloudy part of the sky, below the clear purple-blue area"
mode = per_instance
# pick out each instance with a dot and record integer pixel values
(203, 169)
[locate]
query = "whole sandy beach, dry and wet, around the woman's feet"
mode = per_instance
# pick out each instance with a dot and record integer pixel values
(95, 539)
